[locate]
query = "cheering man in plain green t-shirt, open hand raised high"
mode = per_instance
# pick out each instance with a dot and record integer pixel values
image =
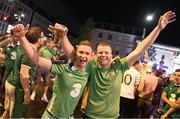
(106, 76)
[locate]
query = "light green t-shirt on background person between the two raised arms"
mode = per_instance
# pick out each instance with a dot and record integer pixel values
(47, 53)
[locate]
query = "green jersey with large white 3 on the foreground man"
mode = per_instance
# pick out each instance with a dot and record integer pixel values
(67, 90)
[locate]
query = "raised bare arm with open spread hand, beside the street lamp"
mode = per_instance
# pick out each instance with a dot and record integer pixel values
(164, 20)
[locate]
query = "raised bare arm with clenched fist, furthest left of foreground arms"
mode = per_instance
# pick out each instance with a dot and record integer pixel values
(20, 31)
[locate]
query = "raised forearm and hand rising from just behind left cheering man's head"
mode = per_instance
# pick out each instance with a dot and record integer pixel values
(60, 32)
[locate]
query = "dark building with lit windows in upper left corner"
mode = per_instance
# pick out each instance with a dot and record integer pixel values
(25, 15)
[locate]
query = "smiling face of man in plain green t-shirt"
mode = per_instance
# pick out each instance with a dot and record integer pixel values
(104, 55)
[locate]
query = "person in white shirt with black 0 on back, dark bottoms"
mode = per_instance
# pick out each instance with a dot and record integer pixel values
(129, 86)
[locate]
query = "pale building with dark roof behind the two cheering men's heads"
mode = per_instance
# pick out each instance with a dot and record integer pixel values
(121, 40)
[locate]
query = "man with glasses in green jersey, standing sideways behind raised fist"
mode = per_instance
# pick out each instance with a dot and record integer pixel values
(21, 77)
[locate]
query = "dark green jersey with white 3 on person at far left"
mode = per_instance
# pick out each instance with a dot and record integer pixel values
(10, 52)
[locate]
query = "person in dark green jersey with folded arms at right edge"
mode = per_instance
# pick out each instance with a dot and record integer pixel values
(171, 97)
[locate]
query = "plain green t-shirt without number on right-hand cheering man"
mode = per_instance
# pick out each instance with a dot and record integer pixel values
(105, 85)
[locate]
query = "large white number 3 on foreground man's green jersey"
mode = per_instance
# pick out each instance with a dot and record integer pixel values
(77, 89)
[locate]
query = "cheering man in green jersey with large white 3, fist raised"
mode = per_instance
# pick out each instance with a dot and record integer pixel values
(70, 78)
